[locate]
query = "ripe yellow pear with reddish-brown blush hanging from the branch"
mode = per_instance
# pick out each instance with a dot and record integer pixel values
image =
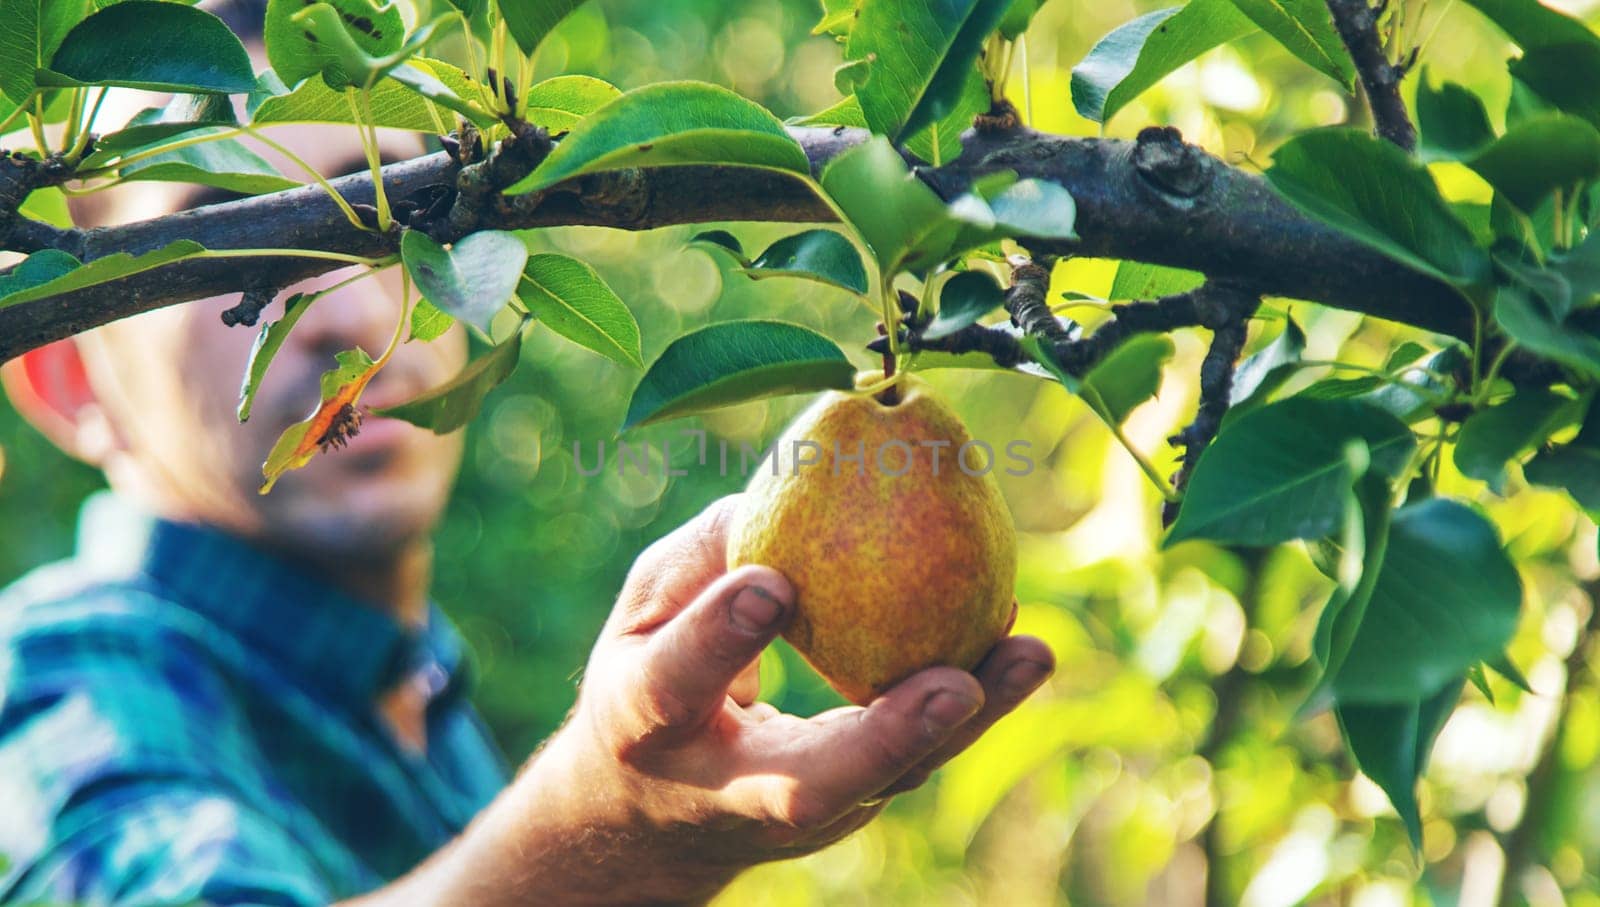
(895, 537)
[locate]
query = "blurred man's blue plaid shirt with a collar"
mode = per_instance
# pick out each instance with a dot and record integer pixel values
(186, 719)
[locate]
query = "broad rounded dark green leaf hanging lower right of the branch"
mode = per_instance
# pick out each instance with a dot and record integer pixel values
(1447, 597)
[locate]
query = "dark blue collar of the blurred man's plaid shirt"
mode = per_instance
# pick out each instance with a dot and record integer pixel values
(337, 644)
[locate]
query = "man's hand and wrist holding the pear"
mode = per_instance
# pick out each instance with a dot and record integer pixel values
(670, 778)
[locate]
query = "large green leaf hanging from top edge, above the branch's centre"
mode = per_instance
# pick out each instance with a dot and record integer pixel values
(921, 52)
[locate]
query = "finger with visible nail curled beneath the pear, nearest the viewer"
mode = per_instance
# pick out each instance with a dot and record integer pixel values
(854, 754)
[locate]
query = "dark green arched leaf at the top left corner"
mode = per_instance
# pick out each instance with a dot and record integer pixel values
(153, 46)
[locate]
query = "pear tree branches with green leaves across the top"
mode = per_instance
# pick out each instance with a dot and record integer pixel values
(927, 198)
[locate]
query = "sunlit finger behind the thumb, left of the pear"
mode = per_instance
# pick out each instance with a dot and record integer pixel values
(674, 570)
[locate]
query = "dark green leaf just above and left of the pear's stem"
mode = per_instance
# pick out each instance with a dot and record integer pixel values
(735, 362)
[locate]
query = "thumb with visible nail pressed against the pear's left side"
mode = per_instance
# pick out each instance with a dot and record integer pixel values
(687, 668)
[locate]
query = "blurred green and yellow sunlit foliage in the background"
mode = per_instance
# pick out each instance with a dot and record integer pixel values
(1167, 741)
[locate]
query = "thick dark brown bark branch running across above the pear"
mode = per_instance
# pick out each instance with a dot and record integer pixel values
(1156, 201)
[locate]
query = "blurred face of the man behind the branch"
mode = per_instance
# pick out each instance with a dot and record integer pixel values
(169, 383)
